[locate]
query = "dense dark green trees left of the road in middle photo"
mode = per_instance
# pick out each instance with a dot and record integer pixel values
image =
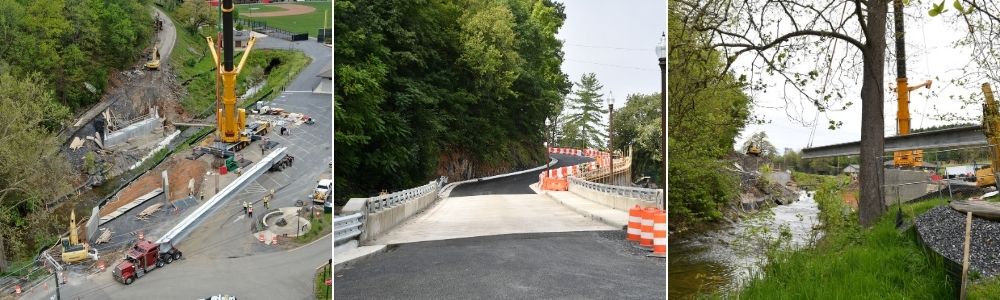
(455, 88)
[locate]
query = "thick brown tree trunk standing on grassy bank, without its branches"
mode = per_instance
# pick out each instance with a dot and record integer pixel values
(871, 205)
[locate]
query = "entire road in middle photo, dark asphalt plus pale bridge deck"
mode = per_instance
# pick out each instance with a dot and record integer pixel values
(588, 261)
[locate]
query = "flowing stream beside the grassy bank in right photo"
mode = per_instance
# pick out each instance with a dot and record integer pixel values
(719, 259)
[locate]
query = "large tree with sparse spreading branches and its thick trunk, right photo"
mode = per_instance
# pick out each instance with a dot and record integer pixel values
(781, 34)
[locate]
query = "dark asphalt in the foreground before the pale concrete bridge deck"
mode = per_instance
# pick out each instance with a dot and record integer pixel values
(567, 265)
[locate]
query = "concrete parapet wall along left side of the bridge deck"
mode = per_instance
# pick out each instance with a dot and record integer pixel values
(381, 222)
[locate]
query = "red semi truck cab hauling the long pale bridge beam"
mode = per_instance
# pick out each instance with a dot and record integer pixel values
(142, 258)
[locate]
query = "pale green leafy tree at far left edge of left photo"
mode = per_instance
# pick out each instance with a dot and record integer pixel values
(28, 106)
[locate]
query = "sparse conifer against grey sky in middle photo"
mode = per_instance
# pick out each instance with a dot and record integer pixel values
(585, 114)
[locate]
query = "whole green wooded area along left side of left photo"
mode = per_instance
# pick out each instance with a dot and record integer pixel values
(55, 57)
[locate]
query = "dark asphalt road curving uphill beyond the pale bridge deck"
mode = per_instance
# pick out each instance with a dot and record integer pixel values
(517, 184)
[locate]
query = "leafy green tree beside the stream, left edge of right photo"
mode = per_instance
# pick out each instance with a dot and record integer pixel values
(707, 109)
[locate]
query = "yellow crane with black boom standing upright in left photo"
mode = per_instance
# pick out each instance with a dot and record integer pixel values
(231, 120)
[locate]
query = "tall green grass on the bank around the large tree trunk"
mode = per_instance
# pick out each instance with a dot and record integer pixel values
(851, 262)
